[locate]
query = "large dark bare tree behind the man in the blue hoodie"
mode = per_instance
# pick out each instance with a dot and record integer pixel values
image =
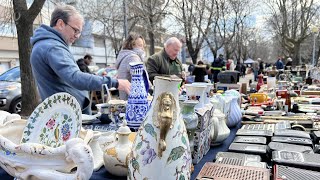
(23, 17)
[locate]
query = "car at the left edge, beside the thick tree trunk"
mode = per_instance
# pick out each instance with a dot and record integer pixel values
(10, 90)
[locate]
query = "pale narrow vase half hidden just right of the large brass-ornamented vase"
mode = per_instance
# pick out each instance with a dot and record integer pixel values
(190, 119)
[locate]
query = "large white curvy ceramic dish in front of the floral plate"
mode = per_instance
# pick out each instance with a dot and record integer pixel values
(37, 161)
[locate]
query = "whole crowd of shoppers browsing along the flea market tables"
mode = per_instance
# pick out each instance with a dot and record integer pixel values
(55, 69)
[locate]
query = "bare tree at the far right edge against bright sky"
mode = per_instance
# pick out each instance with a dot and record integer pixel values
(290, 20)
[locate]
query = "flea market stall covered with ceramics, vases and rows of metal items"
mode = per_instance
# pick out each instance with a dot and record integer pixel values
(199, 131)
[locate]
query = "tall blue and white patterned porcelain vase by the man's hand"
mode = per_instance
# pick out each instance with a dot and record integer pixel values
(137, 106)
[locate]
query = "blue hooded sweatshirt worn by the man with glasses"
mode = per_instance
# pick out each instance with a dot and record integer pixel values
(55, 69)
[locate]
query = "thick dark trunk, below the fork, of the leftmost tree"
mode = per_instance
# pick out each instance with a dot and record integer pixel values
(30, 98)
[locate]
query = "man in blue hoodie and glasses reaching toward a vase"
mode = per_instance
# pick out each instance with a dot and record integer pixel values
(54, 67)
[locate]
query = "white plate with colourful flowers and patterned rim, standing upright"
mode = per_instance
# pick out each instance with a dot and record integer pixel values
(54, 121)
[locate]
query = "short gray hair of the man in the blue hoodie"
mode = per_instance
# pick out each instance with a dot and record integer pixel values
(63, 12)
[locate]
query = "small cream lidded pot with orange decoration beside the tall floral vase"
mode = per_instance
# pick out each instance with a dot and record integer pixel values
(117, 153)
